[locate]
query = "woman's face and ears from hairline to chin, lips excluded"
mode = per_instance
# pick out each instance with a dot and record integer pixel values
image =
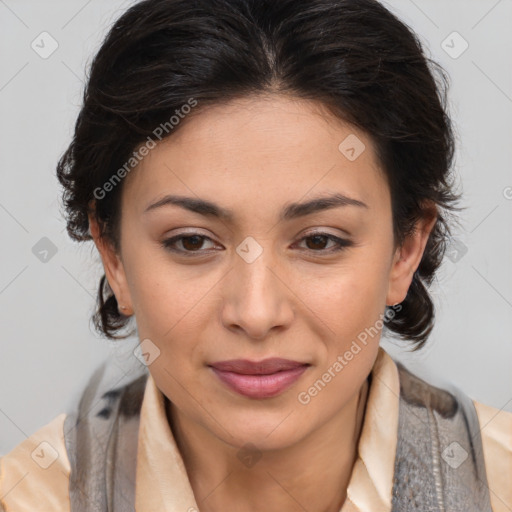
(253, 274)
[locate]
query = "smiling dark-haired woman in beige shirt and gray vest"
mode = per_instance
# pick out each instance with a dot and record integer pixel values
(268, 185)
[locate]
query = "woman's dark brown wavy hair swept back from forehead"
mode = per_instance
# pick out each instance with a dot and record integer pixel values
(355, 57)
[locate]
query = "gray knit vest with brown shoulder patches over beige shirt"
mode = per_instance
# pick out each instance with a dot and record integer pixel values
(439, 464)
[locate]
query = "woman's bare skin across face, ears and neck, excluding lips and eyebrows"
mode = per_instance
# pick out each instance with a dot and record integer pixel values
(297, 300)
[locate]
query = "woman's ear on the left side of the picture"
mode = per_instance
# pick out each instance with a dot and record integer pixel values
(113, 266)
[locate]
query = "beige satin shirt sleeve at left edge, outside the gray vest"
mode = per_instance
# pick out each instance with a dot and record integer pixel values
(35, 474)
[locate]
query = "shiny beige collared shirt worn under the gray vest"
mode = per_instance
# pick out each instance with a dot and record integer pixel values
(35, 476)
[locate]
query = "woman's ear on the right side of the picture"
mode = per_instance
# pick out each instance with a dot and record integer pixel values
(408, 256)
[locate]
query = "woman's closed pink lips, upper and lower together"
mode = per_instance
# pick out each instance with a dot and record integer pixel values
(259, 379)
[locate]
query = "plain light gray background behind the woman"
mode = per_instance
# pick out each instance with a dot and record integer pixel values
(49, 348)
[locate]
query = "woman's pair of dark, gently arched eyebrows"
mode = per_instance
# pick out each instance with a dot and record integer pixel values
(289, 212)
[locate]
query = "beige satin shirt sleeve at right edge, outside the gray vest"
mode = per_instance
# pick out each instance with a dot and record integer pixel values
(496, 431)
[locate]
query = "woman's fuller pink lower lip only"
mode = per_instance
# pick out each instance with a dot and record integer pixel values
(260, 386)
